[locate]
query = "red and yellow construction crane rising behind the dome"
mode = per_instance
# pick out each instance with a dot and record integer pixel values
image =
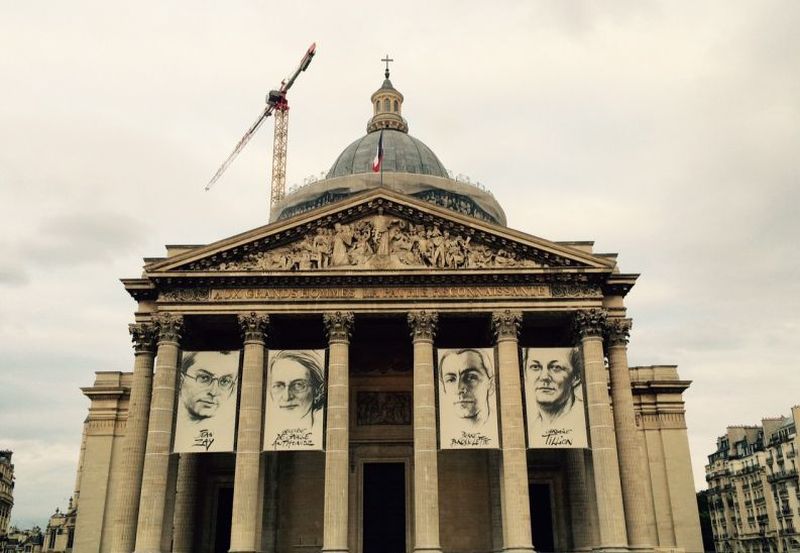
(277, 104)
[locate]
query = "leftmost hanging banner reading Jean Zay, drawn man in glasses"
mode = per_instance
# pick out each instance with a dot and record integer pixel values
(205, 420)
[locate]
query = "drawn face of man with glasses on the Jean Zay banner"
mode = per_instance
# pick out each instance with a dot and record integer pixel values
(207, 380)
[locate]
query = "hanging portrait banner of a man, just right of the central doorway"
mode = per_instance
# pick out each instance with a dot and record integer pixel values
(467, 399)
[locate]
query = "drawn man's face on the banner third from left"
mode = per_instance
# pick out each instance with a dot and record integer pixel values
(467, 385)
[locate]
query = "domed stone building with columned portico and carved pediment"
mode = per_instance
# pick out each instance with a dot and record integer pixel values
(386, 274)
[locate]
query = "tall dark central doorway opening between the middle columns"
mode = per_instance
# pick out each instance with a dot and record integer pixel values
(384, 524)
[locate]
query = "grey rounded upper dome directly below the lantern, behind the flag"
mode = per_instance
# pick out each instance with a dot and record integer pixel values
(402, 154)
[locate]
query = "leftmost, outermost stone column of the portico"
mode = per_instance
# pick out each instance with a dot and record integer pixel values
(126, 509)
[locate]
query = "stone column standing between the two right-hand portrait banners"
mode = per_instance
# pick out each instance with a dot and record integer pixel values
(514, 474)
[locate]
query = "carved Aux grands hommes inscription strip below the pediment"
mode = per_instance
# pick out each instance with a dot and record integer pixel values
(402, 292)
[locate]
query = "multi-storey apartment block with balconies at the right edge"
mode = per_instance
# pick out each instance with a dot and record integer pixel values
(753, 489)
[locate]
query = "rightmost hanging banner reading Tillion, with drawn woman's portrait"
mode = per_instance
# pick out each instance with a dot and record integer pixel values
(554, 397)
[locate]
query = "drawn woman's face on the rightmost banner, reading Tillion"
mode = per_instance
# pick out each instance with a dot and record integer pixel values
(554, 376)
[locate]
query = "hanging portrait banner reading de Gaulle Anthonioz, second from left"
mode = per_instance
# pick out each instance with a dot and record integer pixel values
(295, 402)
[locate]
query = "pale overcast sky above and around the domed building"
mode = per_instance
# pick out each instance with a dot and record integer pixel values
(666, 131)
